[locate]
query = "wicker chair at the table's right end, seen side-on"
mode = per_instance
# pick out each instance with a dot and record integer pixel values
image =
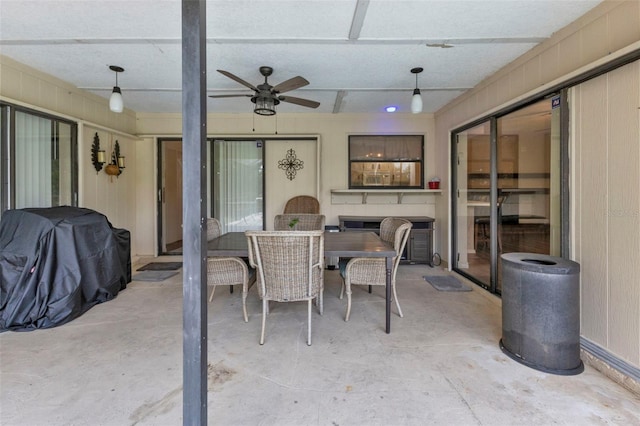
(373, 271)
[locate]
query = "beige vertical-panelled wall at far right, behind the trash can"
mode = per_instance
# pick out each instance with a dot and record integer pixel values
(606, 208)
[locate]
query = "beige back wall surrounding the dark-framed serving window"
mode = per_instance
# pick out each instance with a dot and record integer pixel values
(332, 131)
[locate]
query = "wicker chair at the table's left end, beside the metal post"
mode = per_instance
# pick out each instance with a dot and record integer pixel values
(228, 270)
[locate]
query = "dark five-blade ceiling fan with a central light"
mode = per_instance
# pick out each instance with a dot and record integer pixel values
(266, 96)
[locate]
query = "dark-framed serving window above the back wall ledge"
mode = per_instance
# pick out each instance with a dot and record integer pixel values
(386, 161)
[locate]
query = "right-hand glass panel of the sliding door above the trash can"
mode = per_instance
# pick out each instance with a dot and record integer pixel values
(529, 218)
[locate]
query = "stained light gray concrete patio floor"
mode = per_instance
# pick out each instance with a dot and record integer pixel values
(121, 364)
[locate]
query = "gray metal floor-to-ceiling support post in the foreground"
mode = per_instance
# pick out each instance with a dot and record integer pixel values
(194, 134)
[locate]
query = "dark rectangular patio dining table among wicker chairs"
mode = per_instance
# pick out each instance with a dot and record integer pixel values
(336, 244)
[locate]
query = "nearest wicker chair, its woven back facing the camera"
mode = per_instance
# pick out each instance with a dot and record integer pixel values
(289, 268)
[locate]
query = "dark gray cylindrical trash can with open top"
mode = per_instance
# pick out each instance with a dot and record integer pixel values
(541, 312)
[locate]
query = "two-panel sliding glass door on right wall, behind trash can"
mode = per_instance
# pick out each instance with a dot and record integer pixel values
(507, 190)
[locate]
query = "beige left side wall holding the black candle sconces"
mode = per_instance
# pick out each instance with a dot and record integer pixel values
(114, 197)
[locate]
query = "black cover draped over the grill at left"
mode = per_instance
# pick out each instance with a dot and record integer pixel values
(56, 263)
